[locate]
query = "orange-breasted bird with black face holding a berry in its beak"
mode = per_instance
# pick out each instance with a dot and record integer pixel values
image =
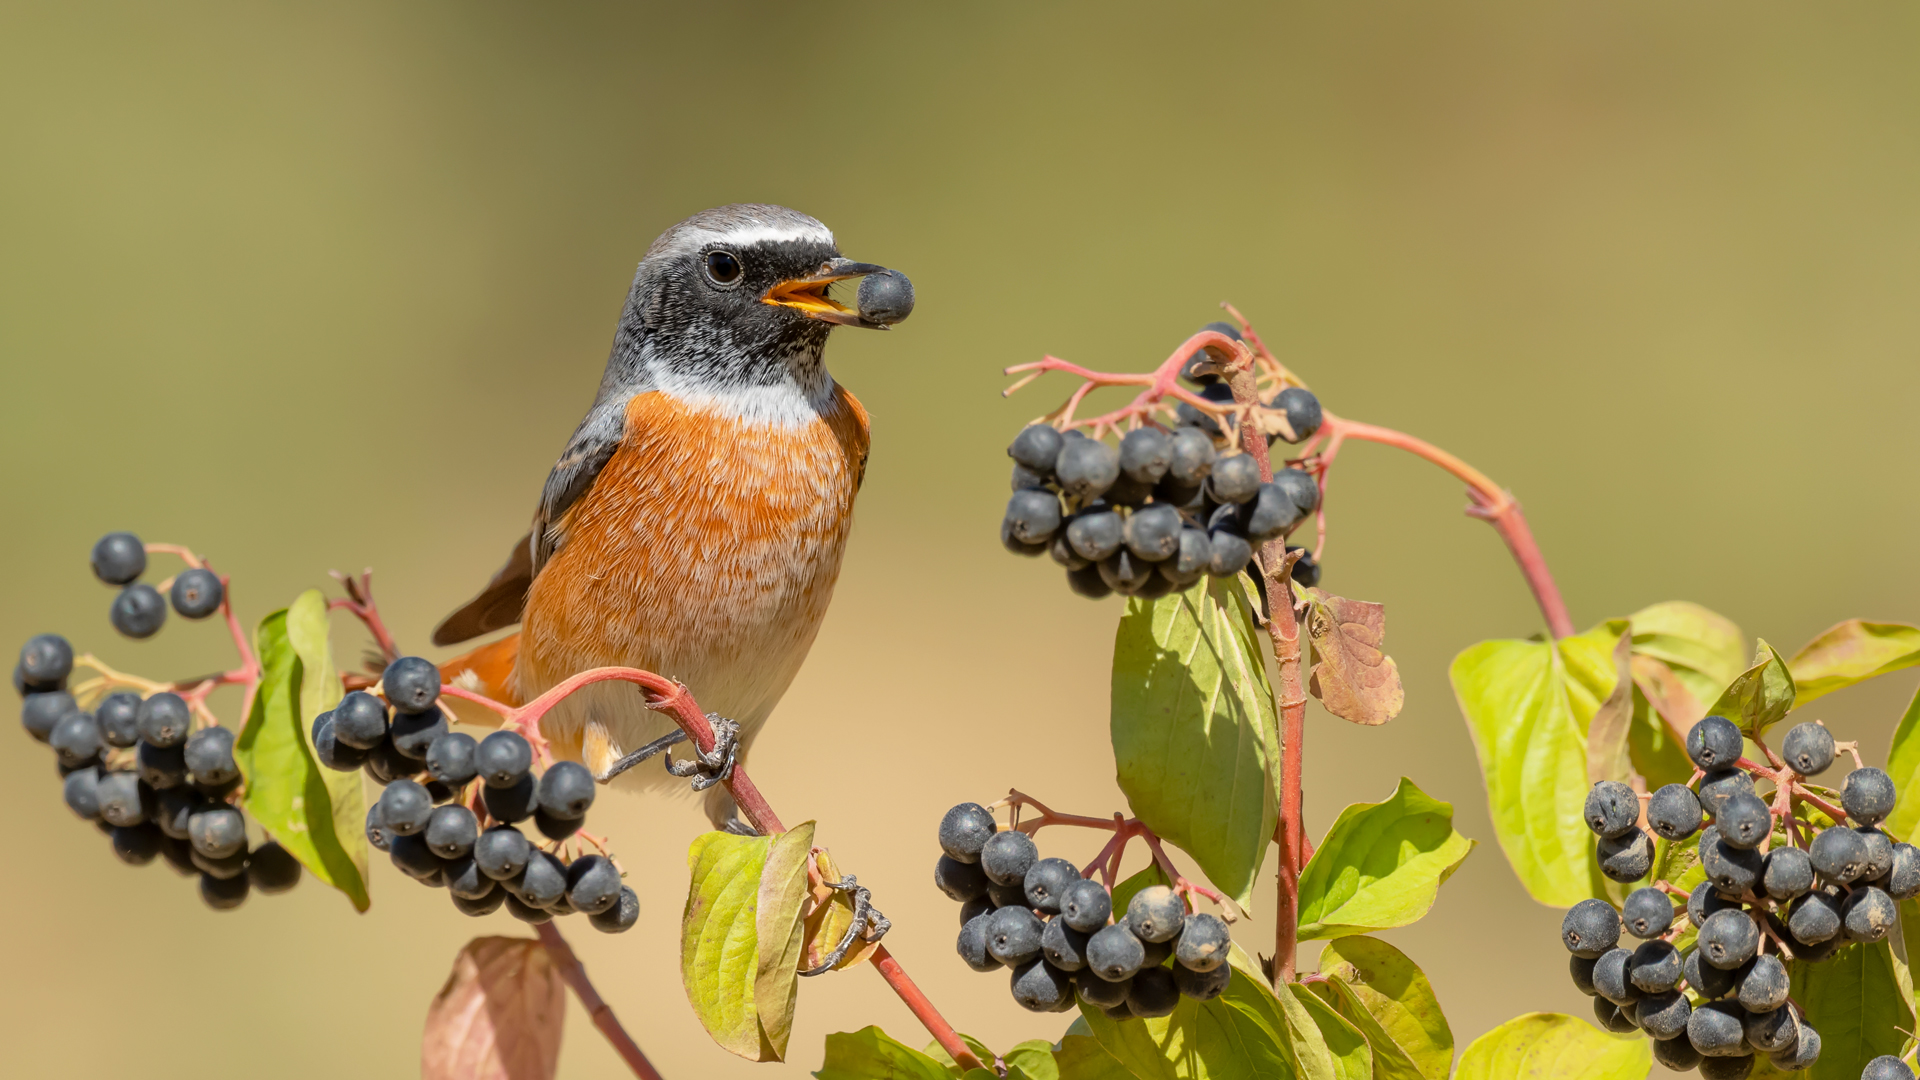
(696, 522)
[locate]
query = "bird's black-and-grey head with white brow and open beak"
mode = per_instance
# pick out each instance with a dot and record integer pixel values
(740, 297)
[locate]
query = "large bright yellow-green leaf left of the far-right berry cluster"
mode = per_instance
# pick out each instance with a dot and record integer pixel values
(1529, 706)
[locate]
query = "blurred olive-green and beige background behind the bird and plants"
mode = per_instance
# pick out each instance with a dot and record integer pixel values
(327, 287)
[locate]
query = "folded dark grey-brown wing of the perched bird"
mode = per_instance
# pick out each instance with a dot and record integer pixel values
(504, 599)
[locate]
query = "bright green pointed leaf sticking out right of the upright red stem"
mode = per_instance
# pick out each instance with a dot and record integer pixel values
(1381, 866)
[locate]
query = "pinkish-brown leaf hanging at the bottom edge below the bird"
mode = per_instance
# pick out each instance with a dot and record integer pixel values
(498, 1018)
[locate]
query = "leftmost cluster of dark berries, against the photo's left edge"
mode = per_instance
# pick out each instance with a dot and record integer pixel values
(153, 779)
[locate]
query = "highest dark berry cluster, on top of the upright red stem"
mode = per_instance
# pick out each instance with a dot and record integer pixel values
(1163, 508)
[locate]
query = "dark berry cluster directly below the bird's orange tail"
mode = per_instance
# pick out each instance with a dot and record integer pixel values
(448, 835)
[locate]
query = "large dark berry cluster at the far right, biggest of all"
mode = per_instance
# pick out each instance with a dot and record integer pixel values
(1802, 891)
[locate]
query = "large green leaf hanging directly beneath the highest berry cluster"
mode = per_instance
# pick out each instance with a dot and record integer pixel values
(1193, 725)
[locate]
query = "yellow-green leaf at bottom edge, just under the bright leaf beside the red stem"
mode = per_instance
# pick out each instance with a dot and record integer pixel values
(1389, 998)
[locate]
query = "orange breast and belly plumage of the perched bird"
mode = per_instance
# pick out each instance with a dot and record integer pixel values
(706, 551)
